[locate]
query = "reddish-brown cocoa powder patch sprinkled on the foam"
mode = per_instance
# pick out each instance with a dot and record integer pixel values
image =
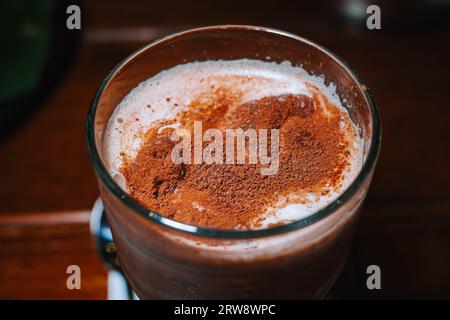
(314, 154)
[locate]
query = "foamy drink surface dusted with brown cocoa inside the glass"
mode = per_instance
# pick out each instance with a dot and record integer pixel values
(318, 156)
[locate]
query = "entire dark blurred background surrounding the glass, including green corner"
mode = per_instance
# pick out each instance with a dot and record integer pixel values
(49, 74)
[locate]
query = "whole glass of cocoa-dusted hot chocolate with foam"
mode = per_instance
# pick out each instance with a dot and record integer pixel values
(232, 162)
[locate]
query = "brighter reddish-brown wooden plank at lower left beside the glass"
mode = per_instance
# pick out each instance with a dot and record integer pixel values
(36, 250)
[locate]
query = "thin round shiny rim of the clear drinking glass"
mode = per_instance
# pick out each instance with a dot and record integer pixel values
(154, 217)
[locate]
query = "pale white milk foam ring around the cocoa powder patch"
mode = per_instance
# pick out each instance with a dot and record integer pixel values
(164, 95)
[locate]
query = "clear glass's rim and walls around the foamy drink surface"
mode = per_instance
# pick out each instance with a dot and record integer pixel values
(163, 258)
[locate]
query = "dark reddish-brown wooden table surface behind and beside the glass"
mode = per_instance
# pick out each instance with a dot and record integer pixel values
(48, 184)
